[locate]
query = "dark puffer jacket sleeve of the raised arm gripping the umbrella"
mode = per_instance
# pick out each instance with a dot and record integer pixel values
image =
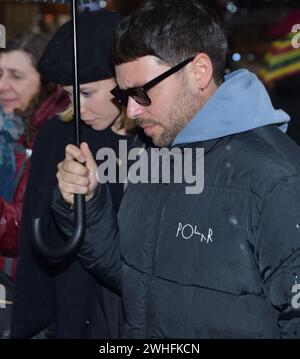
(100, 250)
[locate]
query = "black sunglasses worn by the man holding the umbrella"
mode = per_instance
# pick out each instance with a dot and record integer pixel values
(139, 94)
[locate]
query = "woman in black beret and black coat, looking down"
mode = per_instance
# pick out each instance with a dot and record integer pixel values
(63, 294)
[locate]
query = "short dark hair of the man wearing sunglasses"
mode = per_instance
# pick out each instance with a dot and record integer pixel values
(173, 31)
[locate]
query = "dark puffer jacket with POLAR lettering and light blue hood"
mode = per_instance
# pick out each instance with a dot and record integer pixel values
(219, 264)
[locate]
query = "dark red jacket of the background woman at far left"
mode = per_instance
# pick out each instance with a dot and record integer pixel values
(10, 213)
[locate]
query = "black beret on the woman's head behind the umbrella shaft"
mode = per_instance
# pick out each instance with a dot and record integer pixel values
(95, 37)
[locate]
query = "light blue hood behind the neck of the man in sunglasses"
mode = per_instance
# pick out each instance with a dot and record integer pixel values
(240, 104)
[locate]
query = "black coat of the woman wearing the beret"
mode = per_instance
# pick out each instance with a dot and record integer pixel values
(62, 293)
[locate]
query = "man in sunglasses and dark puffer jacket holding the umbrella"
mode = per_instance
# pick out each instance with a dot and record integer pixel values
(223, 263)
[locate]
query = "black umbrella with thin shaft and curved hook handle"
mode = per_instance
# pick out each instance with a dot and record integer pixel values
(79, 206)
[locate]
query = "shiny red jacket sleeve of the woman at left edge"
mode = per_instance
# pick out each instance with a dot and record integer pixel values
(10, 219)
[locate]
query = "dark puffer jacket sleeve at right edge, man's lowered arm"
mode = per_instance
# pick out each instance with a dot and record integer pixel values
(278, 253)
